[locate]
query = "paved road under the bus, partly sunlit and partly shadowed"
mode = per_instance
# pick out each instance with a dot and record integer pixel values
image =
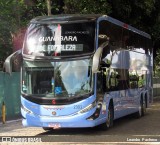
(127, 129)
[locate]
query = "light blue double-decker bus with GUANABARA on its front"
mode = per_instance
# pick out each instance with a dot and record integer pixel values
(82, 71)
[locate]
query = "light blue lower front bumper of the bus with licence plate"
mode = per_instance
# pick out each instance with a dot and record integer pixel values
(76, 121)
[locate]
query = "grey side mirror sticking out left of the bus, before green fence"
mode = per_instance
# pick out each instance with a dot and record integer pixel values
(13, 62)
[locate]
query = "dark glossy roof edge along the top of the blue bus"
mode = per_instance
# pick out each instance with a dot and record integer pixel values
(72, 18)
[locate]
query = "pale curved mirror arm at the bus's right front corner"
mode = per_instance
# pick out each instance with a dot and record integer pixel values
(97, 57)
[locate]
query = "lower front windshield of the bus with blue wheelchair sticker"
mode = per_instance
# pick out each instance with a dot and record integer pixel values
(57, 79)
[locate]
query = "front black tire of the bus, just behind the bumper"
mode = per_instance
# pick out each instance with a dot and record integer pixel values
(109, 120)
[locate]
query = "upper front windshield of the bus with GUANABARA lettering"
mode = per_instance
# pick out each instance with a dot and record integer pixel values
(60, 39)
